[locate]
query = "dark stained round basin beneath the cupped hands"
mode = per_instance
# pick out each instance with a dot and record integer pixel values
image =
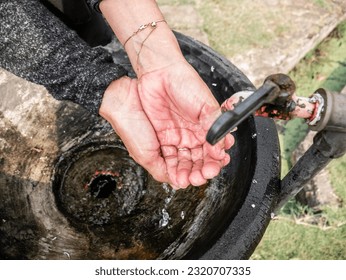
(90, 200)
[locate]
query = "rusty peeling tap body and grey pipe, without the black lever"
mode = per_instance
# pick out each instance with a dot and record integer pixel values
(323, 112)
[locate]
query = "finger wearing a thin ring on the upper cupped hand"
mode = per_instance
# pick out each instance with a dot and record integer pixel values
(184, 167)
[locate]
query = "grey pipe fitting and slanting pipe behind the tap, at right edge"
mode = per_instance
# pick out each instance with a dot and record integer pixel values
(329, 143)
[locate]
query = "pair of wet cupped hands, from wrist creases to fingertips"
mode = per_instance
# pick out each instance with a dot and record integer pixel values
(165, 132)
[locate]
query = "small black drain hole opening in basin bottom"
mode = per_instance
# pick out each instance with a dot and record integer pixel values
(102, 186)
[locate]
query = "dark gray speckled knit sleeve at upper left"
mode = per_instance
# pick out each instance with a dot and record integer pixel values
(37, 46)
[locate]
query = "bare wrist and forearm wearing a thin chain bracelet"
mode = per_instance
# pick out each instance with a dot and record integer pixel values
(149, 49)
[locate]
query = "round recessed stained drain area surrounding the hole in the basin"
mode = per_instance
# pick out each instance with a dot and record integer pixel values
(97, 185)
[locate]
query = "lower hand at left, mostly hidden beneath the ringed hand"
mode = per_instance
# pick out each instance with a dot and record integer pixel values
(122, 108)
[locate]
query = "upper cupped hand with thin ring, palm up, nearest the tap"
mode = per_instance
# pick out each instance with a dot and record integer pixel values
(181, 109)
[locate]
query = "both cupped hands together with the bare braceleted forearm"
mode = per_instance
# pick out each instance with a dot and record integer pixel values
(163, 124)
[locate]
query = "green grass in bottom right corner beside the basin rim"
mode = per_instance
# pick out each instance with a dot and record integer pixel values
(291, 240)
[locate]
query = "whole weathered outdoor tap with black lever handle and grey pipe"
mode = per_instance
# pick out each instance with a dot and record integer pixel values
(323, 112)
